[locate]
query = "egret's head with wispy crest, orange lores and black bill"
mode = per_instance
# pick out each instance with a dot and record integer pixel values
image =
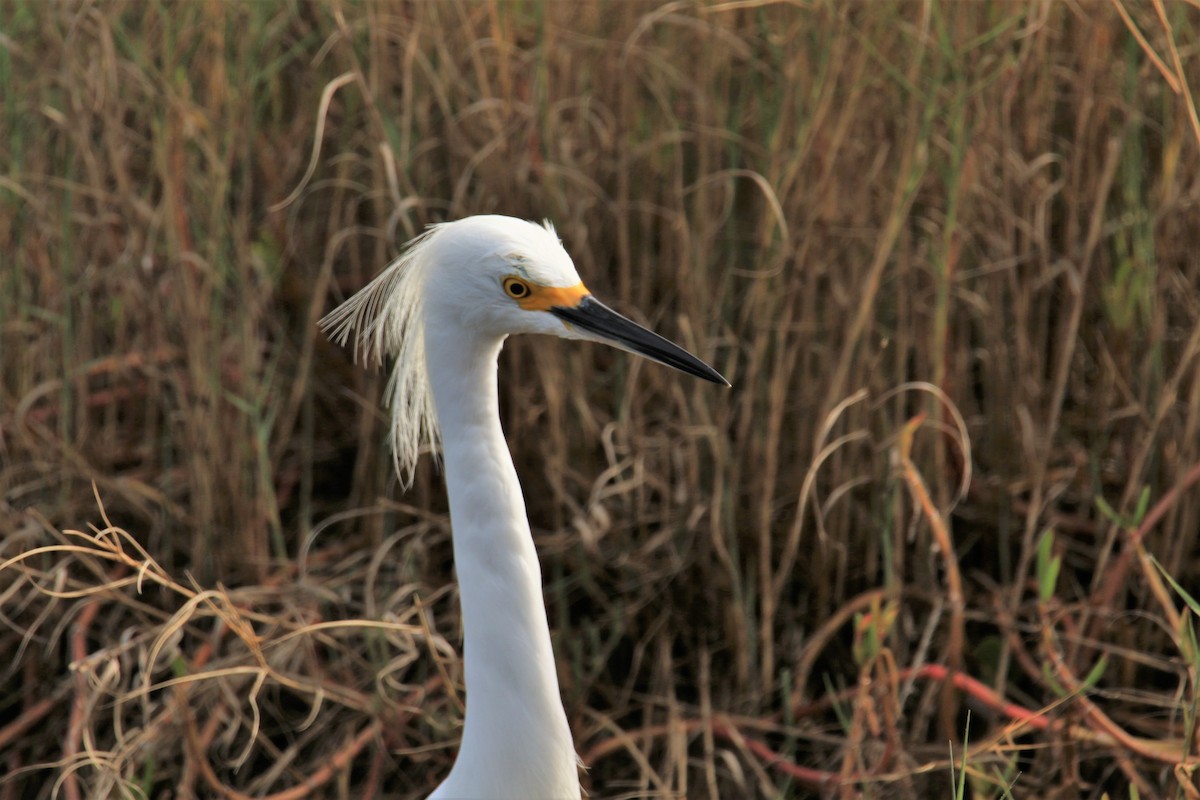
(491, 276)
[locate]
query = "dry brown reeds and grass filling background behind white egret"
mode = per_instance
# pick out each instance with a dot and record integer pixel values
(946, 254)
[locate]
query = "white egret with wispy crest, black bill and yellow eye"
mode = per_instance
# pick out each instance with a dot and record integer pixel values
(443, 311)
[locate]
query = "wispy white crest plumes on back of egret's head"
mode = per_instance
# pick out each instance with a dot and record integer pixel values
(387, 318)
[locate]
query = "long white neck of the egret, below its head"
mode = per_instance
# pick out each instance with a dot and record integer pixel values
(515, 742)
